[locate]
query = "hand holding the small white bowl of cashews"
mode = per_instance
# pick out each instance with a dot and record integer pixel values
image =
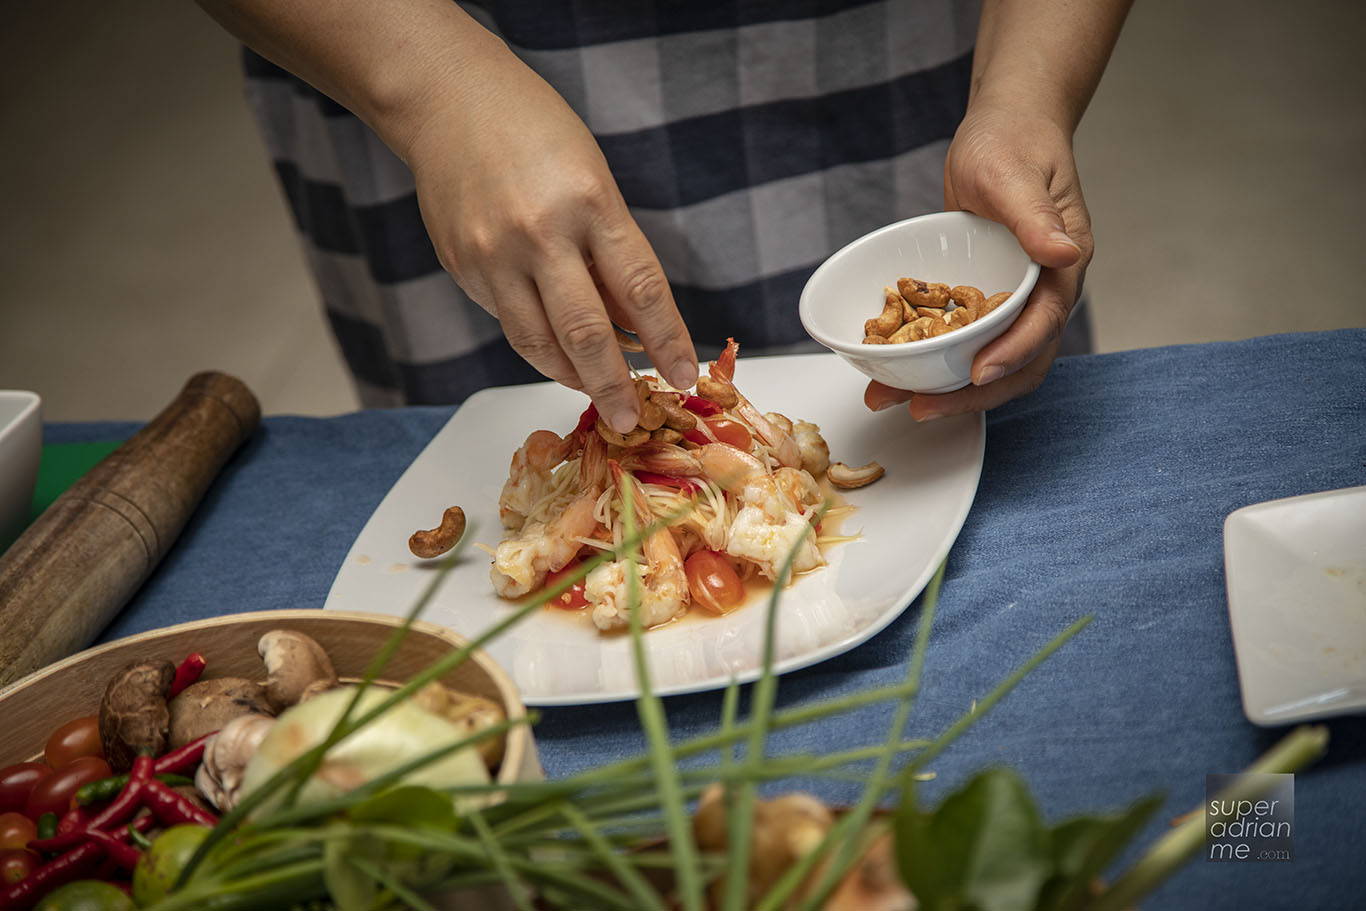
(1016, 169)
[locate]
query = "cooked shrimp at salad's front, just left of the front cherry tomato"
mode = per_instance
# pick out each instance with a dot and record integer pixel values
(663, 593)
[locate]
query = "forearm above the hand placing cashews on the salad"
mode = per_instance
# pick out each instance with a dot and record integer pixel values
(386, 62)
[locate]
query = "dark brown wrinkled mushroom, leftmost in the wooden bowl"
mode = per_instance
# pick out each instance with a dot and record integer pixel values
(135, 718)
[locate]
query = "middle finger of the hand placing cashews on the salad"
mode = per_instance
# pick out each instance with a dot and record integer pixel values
(585, 335)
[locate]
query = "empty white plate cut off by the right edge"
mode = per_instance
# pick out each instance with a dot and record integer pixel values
(1297, 604)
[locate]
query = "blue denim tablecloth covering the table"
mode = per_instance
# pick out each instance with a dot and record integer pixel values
(1103, 494)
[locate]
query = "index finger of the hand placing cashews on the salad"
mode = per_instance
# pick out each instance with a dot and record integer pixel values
(639, 290)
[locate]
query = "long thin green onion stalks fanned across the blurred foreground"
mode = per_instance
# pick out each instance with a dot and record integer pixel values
(617, 837)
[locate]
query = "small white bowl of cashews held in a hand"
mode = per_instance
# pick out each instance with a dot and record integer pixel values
(954, 248)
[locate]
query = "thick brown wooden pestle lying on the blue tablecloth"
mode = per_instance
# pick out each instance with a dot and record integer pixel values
(76, 567)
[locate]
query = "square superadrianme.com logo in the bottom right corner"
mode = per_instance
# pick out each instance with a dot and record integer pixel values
(1251, 830)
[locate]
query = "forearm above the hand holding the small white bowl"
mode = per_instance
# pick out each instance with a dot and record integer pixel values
(1046, 57)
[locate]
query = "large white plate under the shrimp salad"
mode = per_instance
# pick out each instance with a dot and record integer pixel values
(908, 522)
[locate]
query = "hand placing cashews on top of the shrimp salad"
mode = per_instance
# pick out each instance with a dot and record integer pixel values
(527, 216)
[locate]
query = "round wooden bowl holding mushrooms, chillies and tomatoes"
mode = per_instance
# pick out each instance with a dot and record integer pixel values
(36, 705)
